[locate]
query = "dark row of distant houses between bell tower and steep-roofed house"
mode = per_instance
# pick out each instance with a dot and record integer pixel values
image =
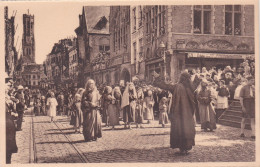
(60, 64)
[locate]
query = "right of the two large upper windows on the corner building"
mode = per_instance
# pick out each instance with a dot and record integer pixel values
(233, 19)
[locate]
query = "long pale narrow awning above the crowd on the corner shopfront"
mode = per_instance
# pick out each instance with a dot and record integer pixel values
(220, 56)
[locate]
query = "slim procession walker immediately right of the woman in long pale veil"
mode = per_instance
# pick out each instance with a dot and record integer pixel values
(139, 114)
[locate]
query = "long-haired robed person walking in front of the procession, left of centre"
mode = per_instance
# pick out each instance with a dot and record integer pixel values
(90, 105)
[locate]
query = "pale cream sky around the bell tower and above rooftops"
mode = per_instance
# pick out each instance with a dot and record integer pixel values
(52, 21)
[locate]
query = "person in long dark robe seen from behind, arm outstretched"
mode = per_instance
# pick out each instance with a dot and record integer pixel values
(182, 134)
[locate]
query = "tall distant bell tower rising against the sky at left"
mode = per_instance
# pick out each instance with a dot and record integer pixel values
(28, 42)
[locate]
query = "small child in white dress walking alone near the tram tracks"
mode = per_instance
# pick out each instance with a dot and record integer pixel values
(52, 104)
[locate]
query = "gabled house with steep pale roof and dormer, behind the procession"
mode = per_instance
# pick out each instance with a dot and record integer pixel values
(93, 43)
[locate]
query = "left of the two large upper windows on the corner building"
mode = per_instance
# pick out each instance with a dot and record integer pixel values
(202, 19)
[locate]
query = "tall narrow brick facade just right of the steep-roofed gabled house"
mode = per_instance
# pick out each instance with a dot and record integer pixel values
(120, 67)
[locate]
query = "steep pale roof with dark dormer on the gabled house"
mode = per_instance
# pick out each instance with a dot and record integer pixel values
(96, 18)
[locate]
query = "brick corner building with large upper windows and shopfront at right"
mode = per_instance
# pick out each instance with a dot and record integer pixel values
(197, 36)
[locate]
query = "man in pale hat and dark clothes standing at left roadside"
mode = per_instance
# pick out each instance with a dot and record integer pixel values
(20, 106)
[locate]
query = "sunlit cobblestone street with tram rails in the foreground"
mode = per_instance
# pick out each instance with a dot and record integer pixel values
(57, 142)
